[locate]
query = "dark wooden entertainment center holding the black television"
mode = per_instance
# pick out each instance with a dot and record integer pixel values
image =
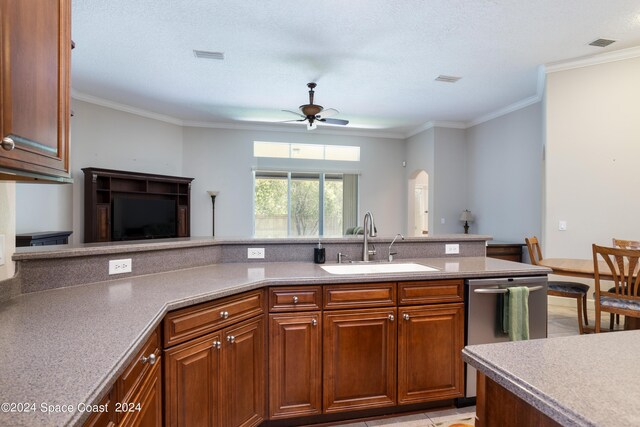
(106, 189)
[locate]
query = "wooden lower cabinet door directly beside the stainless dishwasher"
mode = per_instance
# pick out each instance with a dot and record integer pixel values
(430, 341)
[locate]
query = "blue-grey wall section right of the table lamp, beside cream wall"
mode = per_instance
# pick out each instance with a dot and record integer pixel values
(504, 161)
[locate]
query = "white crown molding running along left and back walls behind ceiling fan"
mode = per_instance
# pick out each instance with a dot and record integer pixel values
(232, 126)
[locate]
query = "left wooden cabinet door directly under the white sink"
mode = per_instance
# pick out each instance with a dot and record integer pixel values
(359, 359)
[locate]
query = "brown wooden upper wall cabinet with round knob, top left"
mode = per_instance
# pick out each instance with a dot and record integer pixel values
(34, 89)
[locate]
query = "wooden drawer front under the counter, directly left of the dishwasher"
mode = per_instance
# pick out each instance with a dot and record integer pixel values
(431, 291)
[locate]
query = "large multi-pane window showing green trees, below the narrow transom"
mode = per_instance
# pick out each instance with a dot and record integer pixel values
(304, 203)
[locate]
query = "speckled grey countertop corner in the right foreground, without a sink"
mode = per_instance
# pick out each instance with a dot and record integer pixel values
(586, 380)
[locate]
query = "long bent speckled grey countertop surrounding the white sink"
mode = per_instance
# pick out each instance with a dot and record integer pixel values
(67, 346)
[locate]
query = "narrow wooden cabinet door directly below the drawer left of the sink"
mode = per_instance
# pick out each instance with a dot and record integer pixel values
(295, 365)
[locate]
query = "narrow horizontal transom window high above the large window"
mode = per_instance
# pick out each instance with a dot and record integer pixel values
(285, 150)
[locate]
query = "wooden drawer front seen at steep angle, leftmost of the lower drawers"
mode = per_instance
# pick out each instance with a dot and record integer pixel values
(130, 380)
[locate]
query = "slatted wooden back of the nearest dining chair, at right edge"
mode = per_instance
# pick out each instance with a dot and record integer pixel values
(624, 268)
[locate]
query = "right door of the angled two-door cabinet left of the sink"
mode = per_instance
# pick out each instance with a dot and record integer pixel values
(243, 394)
